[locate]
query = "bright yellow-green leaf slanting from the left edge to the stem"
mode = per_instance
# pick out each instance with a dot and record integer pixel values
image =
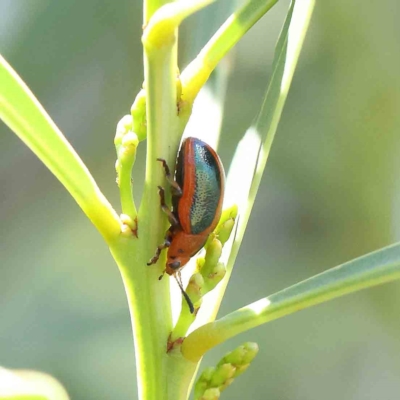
(23, 113)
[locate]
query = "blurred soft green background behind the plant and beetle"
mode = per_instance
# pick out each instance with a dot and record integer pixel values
(330, 194)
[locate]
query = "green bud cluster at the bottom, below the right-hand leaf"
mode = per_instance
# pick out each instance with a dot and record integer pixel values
(214, 380)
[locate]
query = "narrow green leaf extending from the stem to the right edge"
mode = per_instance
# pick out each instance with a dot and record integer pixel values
(367, 271)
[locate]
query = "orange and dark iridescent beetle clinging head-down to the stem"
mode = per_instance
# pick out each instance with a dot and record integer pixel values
(197, 189)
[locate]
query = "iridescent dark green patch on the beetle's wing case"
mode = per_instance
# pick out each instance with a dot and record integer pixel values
(208, 189)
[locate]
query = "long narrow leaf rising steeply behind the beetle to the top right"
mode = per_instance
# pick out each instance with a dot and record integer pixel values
(252, 152)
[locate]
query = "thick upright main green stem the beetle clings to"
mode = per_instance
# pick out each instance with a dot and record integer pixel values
(149, 298)
